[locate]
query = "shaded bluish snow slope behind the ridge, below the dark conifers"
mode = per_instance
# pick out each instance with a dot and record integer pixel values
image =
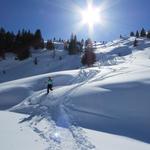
(16, 69)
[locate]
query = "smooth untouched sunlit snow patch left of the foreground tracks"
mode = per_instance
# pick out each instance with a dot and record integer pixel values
(17, 136)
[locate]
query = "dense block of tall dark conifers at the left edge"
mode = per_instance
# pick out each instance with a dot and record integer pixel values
(20, 43)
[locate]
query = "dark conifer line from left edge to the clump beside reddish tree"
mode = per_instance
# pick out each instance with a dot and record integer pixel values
(21, 43)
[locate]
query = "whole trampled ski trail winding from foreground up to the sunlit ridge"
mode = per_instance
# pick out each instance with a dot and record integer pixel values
(41, 113)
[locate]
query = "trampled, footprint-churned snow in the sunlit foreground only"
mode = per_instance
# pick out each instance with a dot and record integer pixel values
(58, 138)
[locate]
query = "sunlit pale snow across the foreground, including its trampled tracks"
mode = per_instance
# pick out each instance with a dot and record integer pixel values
(16, 135)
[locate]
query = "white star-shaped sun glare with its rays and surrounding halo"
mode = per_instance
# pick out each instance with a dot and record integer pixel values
(92, 17)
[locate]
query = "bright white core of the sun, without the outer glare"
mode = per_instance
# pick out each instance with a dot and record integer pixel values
(90, 16)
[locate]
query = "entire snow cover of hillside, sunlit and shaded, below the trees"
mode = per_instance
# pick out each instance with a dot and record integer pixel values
(102, 107)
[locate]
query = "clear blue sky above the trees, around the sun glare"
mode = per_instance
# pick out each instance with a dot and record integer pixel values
(59, 18)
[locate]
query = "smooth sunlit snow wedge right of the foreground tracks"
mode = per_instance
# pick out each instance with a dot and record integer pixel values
(110, 142)
